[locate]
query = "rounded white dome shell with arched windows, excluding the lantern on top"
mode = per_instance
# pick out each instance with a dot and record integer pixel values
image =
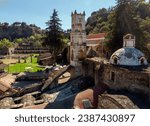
(128, 56)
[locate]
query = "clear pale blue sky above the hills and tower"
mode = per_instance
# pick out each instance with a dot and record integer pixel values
(38, 11)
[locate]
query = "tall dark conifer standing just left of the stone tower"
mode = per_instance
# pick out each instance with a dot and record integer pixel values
(54, 37)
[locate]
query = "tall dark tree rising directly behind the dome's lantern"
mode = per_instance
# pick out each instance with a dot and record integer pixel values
(124, 21)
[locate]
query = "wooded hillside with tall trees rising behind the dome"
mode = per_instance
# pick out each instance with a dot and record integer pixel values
(128, 16)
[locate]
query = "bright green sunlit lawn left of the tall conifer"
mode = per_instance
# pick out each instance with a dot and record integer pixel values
(22, 67)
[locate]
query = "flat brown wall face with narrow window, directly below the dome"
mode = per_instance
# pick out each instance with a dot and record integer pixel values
(121, 77)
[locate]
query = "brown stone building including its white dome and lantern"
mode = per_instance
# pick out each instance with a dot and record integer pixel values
(127, 66)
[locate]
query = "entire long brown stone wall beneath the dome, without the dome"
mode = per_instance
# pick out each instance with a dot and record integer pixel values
(114, 76)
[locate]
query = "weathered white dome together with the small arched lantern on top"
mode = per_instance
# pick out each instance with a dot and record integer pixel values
(128, 55)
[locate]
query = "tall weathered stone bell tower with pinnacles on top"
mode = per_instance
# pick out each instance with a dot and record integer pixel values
(78, 41)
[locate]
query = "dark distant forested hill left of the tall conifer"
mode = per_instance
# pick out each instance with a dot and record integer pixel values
(18, 30)
